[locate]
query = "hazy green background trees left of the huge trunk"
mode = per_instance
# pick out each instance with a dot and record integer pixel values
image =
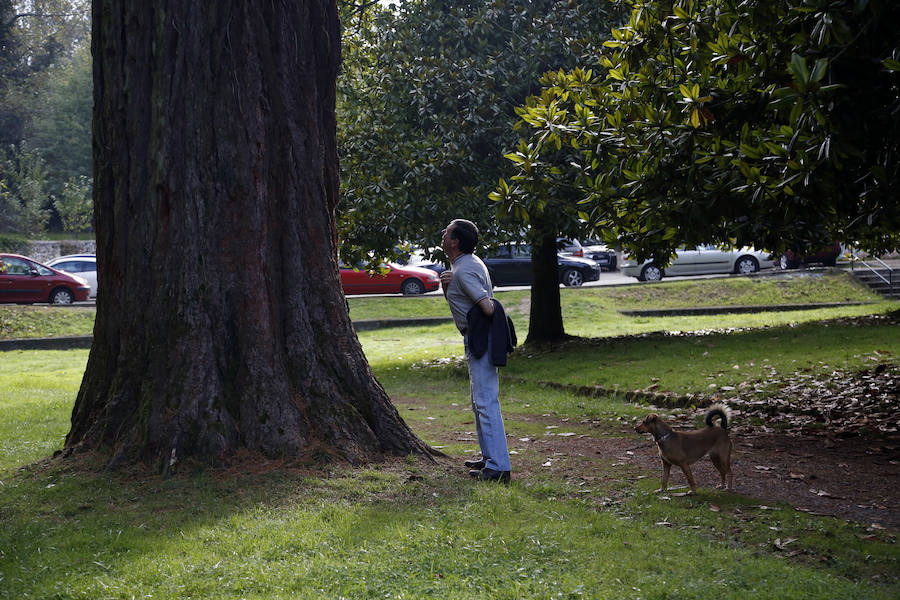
(45, 108)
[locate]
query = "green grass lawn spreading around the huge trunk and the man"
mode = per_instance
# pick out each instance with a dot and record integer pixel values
(409, 529)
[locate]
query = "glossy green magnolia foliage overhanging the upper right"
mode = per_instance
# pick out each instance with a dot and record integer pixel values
(732, 121)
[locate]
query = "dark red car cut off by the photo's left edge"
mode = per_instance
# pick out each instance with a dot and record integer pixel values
(24, 280)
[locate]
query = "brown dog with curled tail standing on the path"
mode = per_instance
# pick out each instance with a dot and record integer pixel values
(685, 448)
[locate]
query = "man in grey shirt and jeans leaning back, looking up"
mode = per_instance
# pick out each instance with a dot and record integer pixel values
(467, 284)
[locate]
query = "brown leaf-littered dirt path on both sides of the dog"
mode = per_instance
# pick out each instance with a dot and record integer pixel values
(849, 479)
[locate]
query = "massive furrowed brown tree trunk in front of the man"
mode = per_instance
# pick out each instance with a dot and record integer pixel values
(221, 323)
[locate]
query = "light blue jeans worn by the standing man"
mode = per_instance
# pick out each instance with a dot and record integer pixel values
(485, 390)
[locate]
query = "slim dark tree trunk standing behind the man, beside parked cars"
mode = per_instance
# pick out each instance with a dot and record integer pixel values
(545, 321)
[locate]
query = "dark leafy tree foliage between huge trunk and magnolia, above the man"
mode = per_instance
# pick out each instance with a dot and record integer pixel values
(426, 106)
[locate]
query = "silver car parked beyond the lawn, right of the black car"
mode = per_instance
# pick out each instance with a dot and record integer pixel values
(701, 260)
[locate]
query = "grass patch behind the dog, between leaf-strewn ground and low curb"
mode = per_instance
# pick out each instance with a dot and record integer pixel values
(700, 363)
